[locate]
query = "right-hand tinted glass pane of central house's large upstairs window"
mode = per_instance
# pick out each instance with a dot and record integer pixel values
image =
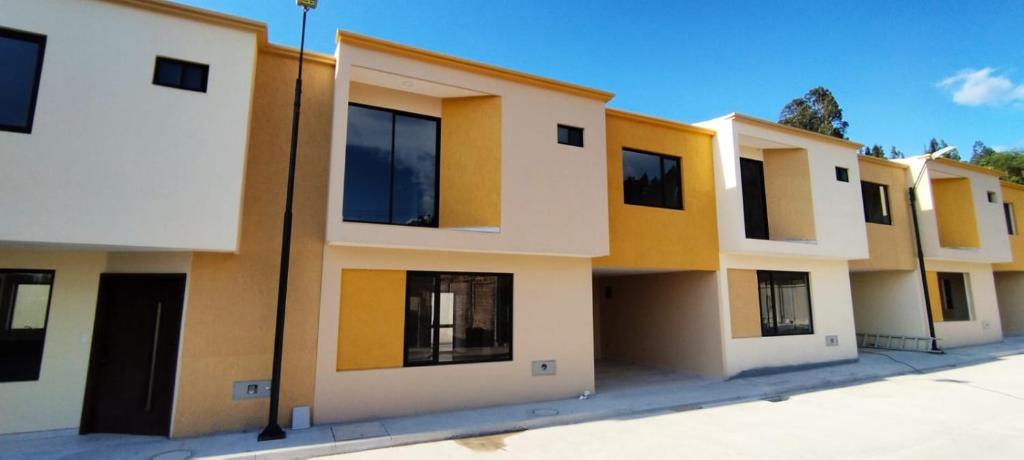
(415, 172)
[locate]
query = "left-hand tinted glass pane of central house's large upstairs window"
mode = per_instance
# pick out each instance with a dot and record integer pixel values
(368, 166)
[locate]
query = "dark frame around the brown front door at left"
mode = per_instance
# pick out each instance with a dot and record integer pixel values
(89, 405)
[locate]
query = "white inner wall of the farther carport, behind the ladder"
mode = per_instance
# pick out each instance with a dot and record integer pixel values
(889, 303)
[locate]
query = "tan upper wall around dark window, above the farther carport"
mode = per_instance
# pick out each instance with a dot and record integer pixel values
(891, 247)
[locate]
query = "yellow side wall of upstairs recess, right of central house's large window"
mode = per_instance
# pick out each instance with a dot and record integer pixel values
(472, 162)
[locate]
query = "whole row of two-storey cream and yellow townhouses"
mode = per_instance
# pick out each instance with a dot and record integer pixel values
(464, 235)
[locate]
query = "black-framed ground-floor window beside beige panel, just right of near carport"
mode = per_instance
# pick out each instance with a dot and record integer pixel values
(786, 304)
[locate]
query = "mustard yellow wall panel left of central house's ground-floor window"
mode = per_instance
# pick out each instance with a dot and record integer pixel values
(371, 324)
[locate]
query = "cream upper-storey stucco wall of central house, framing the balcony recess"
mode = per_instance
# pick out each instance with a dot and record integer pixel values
(553, 197)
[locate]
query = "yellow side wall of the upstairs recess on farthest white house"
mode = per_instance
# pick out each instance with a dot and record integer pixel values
(955, 214)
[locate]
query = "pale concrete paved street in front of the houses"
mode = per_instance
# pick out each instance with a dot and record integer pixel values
(971, 412)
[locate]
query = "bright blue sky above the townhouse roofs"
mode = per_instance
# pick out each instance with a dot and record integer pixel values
(903, 72)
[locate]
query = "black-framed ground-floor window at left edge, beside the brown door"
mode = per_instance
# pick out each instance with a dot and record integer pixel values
(25, 306)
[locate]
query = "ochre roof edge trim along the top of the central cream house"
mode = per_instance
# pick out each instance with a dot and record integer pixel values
(472, 66)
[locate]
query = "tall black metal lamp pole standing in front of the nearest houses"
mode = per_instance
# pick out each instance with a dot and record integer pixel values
(273, 430)
